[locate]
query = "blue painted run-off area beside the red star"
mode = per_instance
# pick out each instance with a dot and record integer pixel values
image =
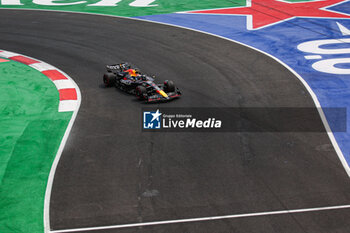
(281, 41)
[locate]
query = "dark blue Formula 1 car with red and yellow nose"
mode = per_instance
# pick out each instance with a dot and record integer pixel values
(143, 86)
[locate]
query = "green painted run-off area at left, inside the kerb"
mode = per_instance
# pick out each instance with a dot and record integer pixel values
(31, 131)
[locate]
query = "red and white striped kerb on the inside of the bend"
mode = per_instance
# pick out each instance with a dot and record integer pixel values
(68, 93)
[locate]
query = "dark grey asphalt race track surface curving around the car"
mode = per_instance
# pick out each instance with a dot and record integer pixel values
(111, 173)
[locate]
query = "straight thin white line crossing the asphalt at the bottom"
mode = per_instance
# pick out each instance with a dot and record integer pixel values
(247, 215)
